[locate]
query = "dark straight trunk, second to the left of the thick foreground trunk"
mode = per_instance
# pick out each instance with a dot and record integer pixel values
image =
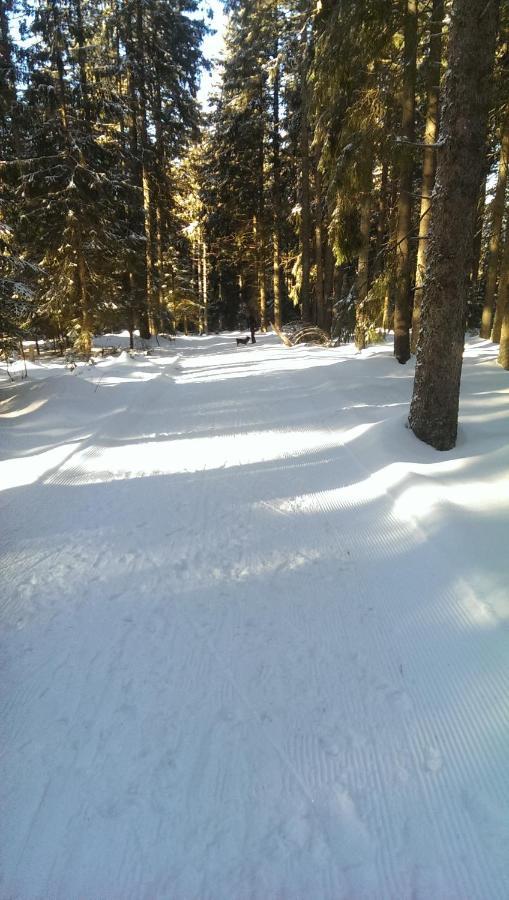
(403, 255)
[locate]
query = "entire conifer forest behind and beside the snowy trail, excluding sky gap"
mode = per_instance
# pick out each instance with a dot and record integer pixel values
(350, 171)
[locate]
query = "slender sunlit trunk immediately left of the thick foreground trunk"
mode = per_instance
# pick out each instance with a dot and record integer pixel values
(429, 156)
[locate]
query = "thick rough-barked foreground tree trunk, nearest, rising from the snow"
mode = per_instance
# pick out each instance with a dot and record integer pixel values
(434, 407)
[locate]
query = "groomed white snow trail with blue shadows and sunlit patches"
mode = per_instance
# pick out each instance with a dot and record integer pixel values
(255, 634)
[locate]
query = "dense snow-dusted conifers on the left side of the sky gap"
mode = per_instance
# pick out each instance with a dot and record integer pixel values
(98, 106)
